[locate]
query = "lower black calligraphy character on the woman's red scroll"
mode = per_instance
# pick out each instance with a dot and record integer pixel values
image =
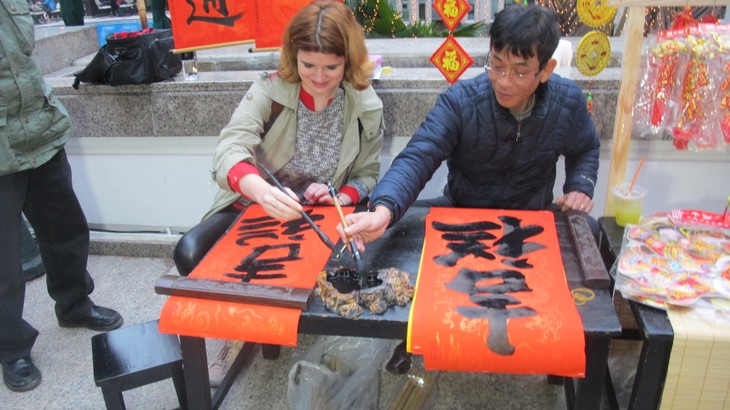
(252, 264)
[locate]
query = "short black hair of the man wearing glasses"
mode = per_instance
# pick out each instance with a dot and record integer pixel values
(525, 30)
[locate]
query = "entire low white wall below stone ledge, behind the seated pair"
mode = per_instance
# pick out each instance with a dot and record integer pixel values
(163, 184)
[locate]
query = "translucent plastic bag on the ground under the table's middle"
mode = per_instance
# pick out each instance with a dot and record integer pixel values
(338, 373)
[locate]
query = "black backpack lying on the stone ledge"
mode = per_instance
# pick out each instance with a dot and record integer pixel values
(140, 59)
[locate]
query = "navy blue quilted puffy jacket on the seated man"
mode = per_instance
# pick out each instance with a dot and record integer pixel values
(493, 160)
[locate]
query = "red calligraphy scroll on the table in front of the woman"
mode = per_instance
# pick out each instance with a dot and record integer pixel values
(260, 250)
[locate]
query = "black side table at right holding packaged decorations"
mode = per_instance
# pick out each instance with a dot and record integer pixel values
(654, 330)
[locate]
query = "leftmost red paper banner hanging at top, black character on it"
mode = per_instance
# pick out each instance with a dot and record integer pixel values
(197, 23)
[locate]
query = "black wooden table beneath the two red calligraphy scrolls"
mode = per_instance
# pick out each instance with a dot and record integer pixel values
(401, 247)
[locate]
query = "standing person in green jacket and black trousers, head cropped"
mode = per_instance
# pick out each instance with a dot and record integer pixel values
(35, 180)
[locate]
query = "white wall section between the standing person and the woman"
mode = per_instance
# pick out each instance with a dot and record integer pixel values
(143, 184)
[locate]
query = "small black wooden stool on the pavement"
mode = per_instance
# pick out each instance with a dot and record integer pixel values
(135, 356)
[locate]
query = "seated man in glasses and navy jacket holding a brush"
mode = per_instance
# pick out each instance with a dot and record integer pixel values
(501, 135)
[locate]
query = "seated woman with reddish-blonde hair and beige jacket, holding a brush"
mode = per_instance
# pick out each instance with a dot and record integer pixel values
(317, 120)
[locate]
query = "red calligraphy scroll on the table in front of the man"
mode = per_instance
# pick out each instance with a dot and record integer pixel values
(492, 296)
